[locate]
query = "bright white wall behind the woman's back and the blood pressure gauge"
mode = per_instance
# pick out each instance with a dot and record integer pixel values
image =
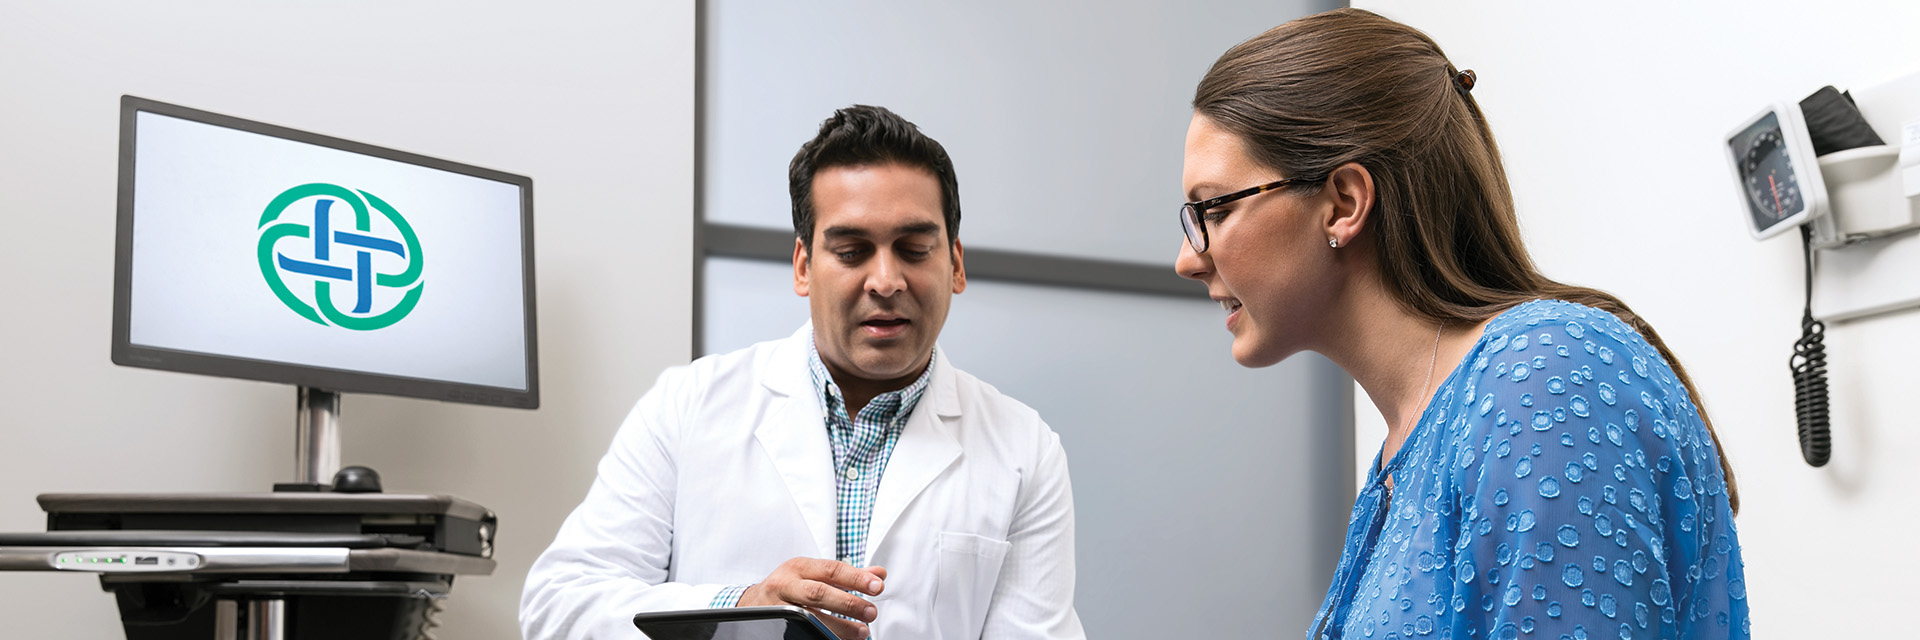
(1612, 120)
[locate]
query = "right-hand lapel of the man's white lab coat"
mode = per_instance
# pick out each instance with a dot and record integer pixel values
(926, 449)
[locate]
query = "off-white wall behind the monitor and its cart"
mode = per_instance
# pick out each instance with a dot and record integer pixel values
(596, 103)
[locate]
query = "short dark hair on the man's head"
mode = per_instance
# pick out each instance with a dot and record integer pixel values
(869, 135)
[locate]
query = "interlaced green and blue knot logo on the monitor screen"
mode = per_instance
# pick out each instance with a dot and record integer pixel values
(356, 247)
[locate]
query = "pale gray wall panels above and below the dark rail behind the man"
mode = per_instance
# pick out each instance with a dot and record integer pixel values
(1211, 499)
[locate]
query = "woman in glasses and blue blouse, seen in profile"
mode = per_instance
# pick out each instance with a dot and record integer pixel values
(1547, 470)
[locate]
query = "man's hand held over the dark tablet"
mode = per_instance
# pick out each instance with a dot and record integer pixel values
(823, 585)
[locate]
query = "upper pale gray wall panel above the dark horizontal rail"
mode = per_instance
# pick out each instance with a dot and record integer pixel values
(1065, 120)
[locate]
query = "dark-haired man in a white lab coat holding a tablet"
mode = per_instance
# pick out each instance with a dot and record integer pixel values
(850, 468)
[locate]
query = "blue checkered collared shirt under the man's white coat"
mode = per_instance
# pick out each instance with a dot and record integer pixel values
(861, 451)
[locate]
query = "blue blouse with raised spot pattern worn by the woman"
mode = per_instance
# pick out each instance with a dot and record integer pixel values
(1560, 485)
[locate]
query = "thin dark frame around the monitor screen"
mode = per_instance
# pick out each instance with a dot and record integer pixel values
(130, 355)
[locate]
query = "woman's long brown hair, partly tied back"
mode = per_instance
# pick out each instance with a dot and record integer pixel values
(1355, 87)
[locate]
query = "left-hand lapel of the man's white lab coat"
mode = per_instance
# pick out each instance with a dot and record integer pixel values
(796, 439)
